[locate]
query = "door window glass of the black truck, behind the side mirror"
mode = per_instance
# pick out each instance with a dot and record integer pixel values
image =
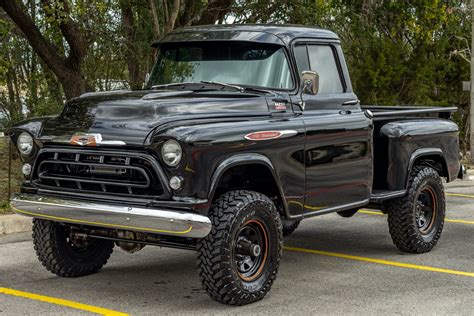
(322, 60)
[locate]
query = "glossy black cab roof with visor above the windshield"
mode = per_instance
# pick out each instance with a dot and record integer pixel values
(261, 33)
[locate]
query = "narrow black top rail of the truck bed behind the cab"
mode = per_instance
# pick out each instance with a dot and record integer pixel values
(402, 112)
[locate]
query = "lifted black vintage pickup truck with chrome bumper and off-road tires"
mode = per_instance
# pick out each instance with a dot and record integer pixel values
(239, 133)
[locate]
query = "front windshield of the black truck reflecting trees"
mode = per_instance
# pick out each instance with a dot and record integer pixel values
(239, 63)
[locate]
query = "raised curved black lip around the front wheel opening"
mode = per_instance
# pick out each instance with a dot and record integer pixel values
(245, 159)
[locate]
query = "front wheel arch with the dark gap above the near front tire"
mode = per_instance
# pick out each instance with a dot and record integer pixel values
(253, 172)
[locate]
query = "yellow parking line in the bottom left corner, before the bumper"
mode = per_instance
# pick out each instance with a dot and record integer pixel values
(58, 301)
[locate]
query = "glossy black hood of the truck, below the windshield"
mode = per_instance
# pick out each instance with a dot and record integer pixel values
(131, 116)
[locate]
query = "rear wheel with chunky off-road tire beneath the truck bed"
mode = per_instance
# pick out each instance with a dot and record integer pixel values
(416, 220)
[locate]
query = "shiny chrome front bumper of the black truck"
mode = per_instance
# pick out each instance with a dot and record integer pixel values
(150, 220)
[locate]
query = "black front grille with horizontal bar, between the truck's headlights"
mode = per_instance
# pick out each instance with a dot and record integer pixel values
(100, 172)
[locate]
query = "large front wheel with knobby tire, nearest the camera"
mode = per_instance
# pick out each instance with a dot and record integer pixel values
(239, 260)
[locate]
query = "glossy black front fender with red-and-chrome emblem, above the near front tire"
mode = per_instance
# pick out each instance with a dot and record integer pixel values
(209, 149)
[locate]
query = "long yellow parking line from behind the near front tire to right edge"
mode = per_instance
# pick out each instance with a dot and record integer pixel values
(380, 261)
